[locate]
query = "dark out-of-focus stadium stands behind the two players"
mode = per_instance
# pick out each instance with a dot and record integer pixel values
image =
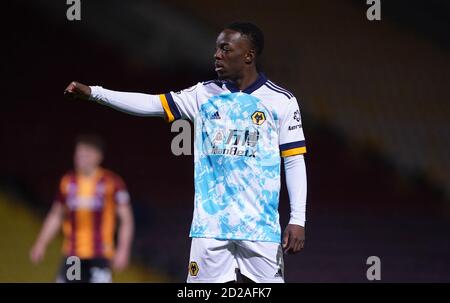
(375, 105)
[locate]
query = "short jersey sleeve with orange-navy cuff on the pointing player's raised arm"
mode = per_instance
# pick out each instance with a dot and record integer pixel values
(181, 104)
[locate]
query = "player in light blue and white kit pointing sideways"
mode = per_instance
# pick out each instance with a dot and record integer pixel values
(243, 122)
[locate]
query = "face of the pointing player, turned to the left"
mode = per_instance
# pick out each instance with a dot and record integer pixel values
(233, 53)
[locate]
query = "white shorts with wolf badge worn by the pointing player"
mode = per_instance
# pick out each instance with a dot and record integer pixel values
(216, 261)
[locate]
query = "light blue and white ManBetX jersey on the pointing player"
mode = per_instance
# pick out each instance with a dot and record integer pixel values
(240, 137)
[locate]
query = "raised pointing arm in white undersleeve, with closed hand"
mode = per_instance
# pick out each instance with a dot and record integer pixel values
(131, 103)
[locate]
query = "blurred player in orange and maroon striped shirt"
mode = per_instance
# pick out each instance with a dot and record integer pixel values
(86, 205)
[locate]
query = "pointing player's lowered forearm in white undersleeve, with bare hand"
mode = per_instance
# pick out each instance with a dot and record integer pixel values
(294, 234)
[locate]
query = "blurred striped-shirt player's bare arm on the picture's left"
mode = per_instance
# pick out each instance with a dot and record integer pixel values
(50, 228)
